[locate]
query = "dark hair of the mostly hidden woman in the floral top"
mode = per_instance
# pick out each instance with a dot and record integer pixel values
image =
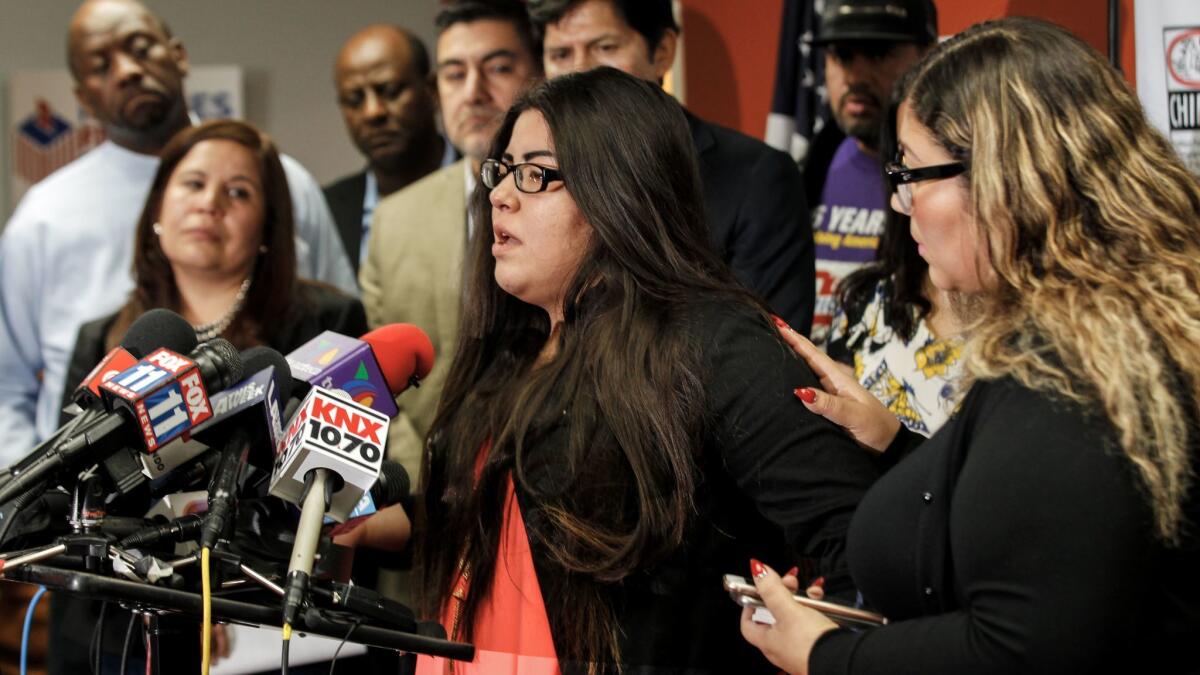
(898, 265)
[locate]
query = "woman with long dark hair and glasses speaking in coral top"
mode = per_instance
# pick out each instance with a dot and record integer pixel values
(615, 434)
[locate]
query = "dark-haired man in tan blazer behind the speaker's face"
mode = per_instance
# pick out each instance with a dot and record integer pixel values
(485, 57)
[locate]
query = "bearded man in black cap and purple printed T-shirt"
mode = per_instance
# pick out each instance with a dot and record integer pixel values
(868, 46)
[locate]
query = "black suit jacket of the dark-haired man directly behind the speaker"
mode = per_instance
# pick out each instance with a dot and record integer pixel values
(759, 219)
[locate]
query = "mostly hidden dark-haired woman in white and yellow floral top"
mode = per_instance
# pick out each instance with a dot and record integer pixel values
(896, 328)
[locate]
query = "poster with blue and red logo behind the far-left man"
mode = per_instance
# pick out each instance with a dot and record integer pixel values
(47, 128)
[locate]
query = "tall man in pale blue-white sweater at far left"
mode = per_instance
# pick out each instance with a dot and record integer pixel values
(67, 254)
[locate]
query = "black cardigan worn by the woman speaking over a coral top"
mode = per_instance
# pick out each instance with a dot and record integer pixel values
(777, 482)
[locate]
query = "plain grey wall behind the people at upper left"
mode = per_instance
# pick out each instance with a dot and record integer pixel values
(286, 49)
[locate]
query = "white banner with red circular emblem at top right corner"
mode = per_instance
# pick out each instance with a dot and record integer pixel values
(1168, 45)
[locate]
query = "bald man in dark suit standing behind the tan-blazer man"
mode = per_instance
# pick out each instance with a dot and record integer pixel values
(385, 94)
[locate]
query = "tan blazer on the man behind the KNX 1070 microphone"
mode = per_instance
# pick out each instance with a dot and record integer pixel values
(413, 274)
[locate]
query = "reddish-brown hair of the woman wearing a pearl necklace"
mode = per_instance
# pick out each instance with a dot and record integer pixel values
(274, 280)
